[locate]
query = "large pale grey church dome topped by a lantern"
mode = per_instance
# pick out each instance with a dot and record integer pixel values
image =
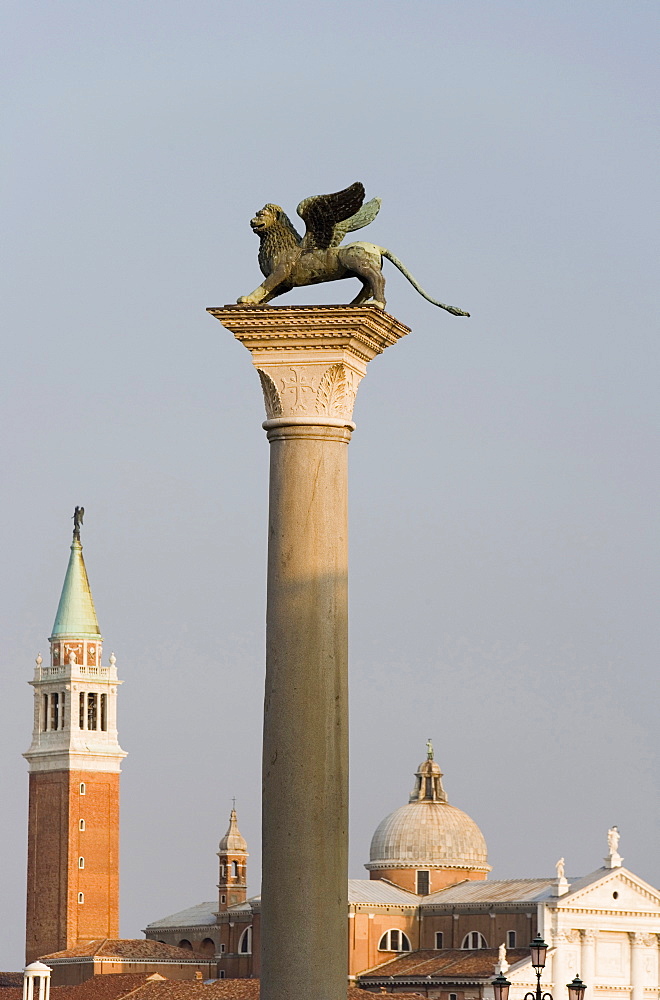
(428, 832)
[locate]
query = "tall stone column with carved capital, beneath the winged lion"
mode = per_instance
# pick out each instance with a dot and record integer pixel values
(310, 361)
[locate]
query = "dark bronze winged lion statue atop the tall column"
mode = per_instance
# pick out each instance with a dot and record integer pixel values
(288, 260)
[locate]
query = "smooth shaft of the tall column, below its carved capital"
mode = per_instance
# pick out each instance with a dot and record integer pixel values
(305, 751)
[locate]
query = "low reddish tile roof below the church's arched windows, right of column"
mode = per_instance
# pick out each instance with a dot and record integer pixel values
(450, 963)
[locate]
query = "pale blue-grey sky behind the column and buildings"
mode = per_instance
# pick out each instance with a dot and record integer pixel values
(503, 474)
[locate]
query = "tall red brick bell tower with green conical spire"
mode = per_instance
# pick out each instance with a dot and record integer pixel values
(75, 759)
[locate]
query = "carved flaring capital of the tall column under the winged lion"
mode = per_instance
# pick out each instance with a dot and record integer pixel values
(311, 359)
